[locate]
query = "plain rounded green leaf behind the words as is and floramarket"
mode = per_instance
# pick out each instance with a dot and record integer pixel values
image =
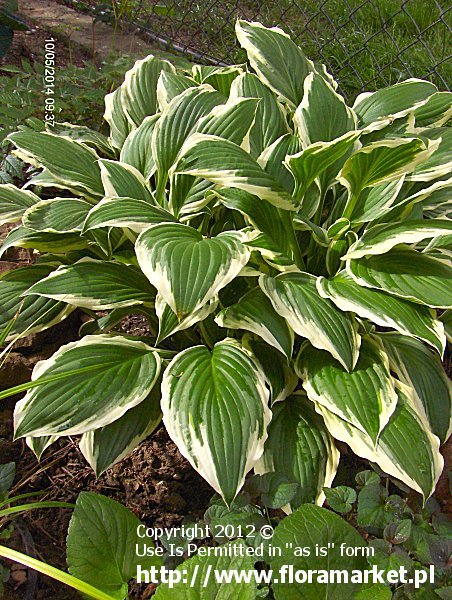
(313, 527)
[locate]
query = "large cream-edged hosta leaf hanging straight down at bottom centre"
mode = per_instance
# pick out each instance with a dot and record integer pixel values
(215, 409)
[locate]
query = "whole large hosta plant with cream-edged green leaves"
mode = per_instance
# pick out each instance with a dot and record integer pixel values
(289, 252)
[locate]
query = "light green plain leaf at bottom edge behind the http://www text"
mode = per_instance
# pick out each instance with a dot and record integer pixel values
(197, 569)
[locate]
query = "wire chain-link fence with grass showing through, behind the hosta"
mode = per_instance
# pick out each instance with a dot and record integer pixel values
(364, 43)
